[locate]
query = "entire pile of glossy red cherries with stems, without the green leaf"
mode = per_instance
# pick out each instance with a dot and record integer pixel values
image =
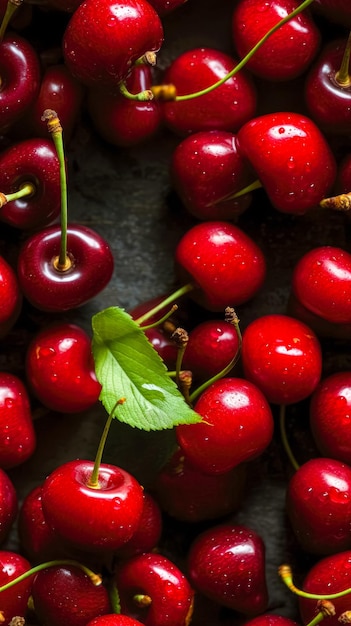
(98, 546)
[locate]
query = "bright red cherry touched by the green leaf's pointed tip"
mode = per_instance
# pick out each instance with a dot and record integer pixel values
(237, 426)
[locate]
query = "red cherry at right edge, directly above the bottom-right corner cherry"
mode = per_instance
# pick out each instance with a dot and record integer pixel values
(318, 485)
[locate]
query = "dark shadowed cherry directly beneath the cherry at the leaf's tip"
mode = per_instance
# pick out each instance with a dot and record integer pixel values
(187, 494)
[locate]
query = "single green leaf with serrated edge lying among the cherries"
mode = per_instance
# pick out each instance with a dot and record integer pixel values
(127, 366)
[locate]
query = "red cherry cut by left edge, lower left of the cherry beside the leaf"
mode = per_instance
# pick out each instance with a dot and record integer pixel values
(18, 440)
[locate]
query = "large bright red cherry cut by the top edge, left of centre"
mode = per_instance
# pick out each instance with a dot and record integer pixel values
(102, 43)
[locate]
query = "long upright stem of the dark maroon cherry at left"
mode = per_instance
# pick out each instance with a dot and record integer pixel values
(62, 262)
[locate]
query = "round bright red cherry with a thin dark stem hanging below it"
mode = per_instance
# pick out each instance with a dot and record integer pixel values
(282, 356)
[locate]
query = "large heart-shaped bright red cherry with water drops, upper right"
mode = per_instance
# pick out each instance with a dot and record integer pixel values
(291, 158)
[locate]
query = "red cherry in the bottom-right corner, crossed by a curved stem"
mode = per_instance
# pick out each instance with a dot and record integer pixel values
(328, 575)
